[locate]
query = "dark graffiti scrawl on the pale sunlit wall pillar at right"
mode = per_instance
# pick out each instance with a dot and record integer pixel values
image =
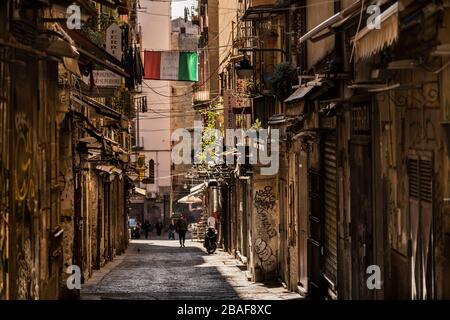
(264, 204)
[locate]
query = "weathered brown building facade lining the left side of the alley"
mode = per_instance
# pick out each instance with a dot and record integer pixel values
(65, 147)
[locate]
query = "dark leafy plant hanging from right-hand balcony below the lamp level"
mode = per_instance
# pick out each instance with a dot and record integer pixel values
(282, 80)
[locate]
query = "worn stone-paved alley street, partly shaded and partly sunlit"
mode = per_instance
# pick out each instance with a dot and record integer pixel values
(159, 269)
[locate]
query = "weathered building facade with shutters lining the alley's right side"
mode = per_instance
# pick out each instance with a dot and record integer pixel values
(362, 179)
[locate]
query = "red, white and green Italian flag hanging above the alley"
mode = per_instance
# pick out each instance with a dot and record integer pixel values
(170, 65)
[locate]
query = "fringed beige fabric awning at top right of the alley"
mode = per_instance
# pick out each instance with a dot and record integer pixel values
(370, 41)
